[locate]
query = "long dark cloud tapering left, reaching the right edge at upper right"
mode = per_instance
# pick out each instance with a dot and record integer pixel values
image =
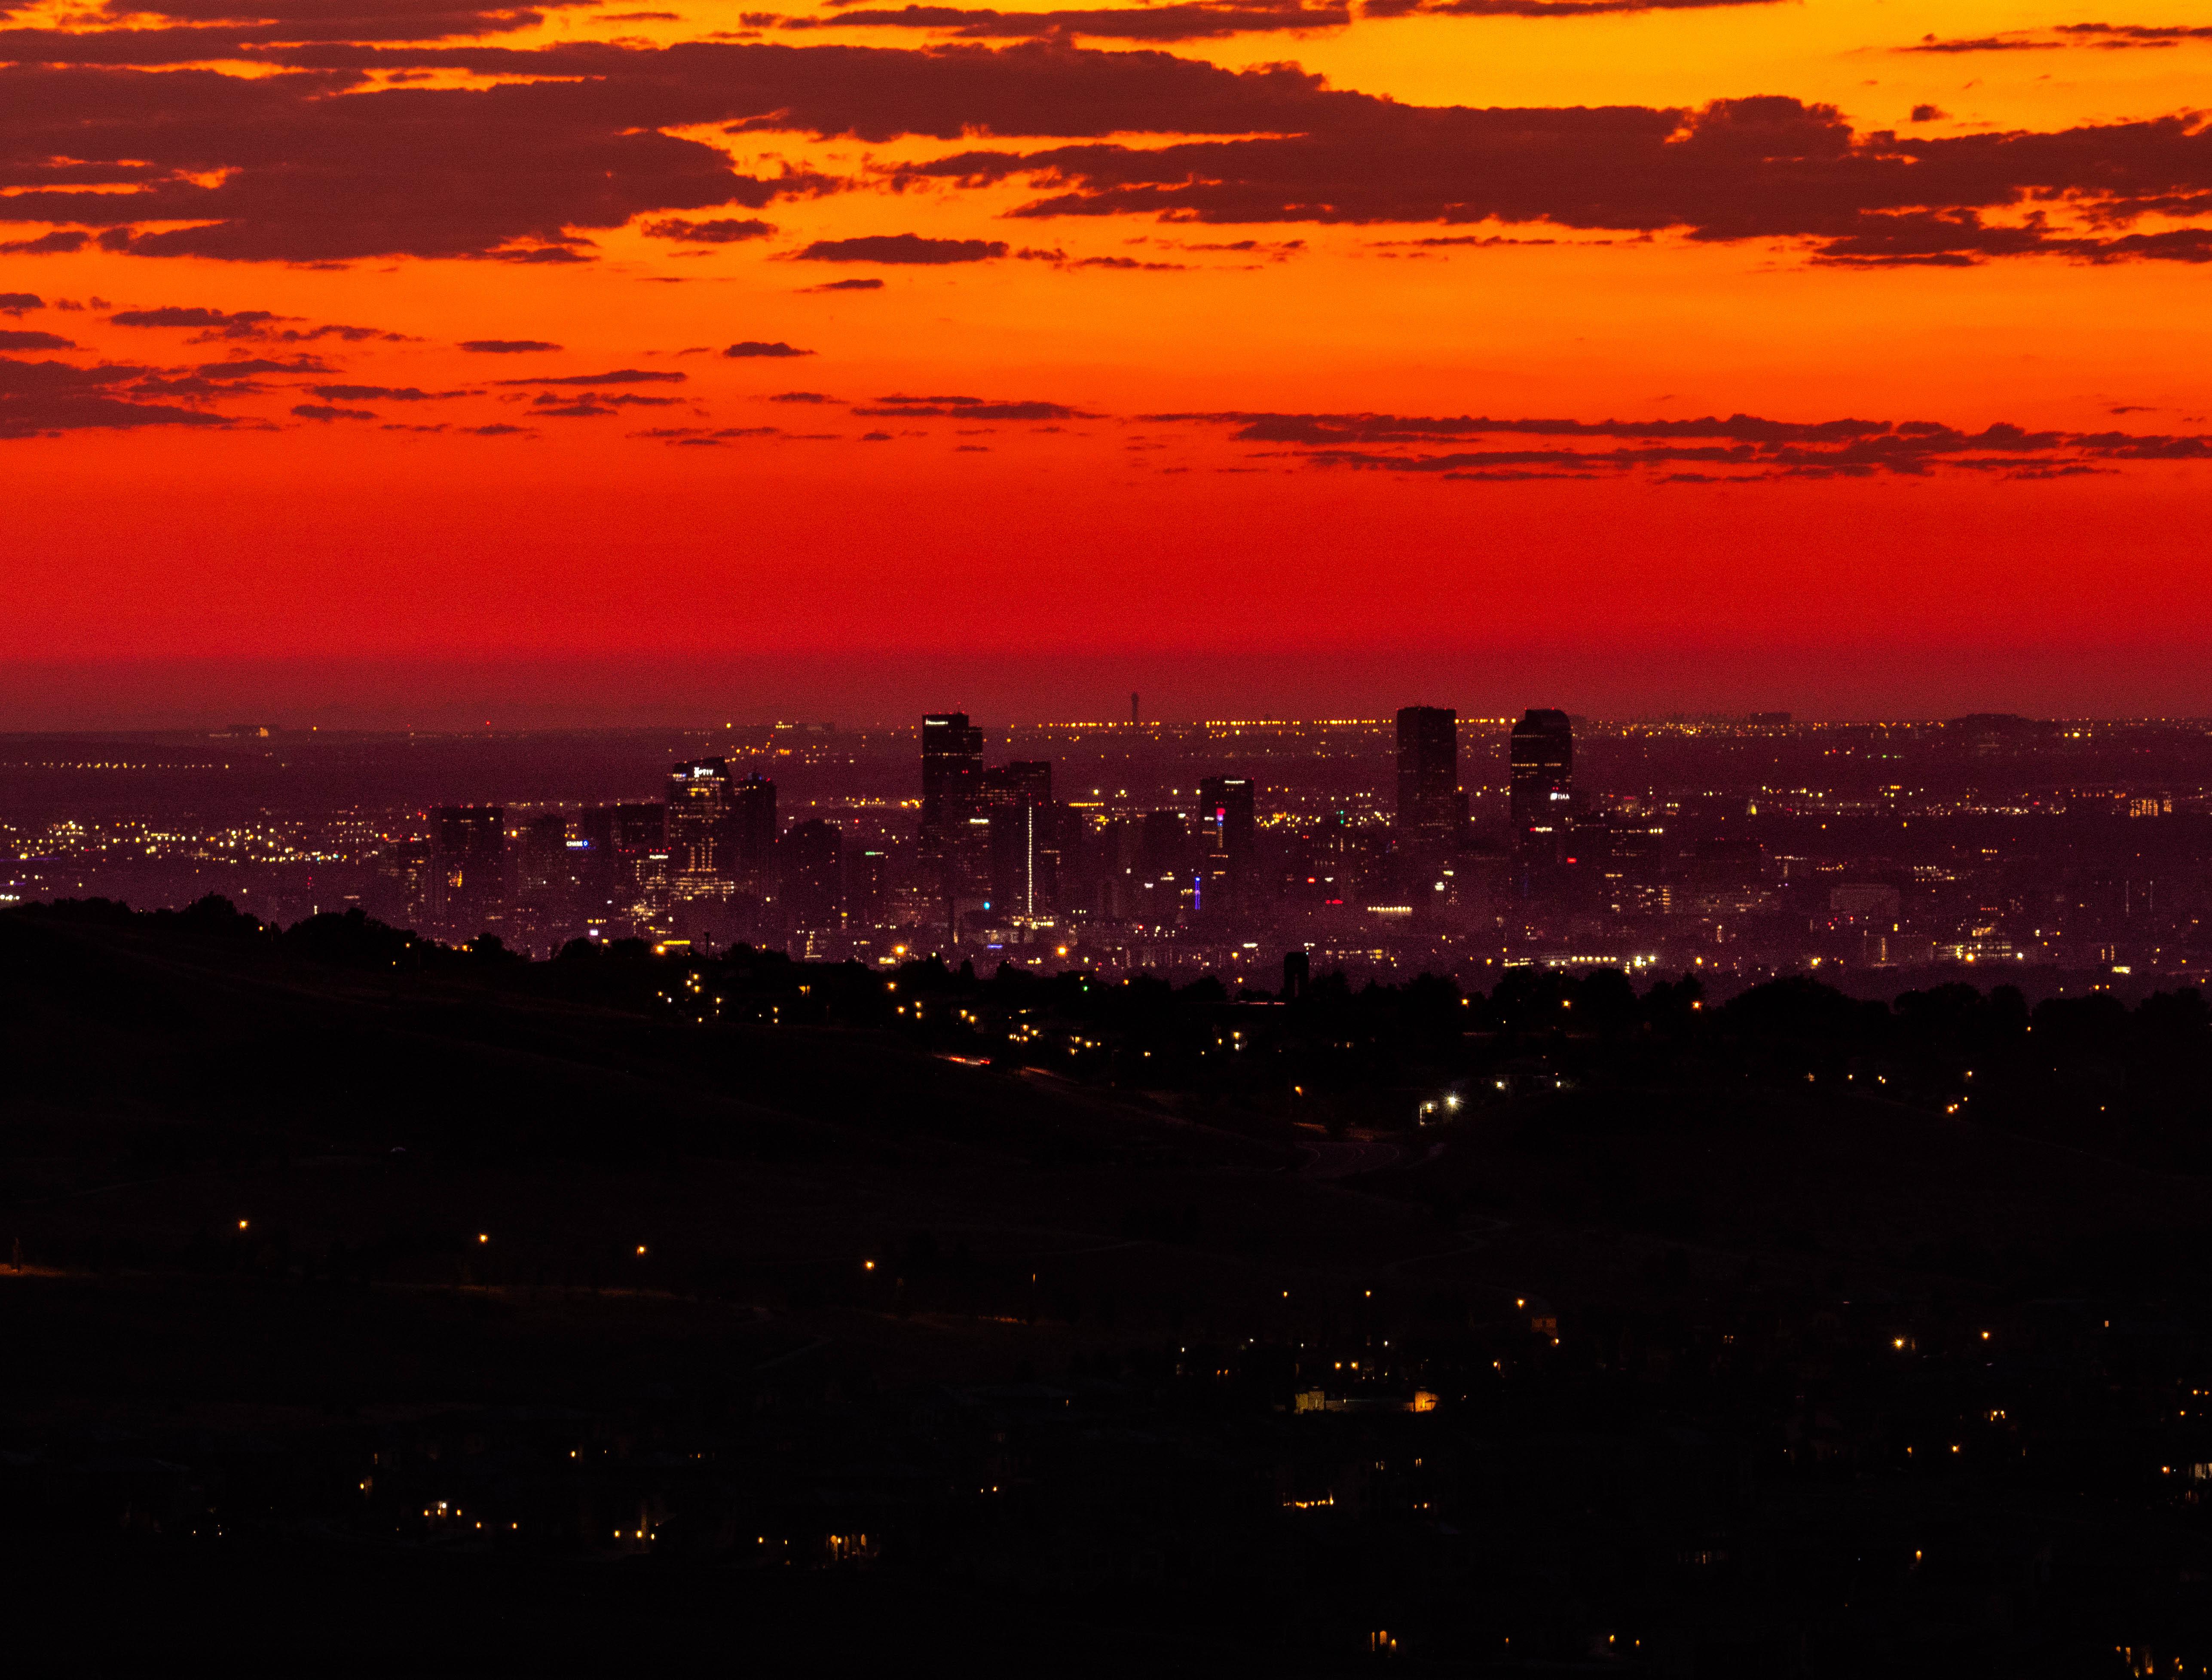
(1738, 169)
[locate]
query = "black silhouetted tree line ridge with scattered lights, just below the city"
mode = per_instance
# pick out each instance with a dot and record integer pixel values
(2085, 1070)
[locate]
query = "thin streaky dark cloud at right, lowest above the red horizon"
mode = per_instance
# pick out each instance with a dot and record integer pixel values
(1713, 450)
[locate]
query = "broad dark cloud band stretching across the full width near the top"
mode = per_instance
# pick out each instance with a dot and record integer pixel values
(311, 165)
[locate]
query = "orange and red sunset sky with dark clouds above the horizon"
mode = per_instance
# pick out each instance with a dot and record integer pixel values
(408, 362)
